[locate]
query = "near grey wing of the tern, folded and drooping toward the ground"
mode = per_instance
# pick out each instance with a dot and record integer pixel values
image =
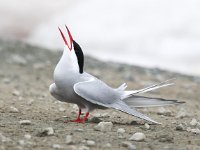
(99, 93)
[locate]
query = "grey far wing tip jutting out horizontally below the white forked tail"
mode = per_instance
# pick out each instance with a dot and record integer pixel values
(141, 101)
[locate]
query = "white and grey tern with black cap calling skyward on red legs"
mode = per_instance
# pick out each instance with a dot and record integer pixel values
(73, 85)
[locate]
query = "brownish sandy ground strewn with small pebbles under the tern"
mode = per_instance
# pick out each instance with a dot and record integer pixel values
(25, 75)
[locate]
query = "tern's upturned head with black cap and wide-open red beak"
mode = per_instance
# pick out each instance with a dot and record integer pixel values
(72, 50)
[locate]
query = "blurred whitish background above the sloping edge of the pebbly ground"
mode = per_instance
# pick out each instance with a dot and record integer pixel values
(149, 33)
